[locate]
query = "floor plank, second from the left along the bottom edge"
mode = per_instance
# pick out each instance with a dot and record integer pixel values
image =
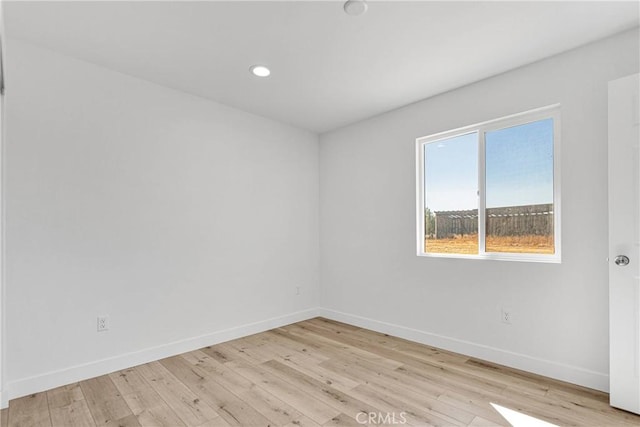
(68, 407)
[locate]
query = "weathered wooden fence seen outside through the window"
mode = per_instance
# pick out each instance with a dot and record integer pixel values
(505, 221)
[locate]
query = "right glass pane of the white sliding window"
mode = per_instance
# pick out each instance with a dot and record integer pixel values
(519, 189)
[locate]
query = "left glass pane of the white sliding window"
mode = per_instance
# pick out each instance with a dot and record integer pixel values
(451, 195)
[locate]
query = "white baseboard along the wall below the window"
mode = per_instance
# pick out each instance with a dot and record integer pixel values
(548, 368)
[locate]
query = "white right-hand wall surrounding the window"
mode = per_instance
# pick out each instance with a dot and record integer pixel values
(371, 275)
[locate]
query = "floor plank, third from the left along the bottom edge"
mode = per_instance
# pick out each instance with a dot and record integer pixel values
(107, 406)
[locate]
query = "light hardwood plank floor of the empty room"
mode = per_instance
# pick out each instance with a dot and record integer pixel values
(314, 373)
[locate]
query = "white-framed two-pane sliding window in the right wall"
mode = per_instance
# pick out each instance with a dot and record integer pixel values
(491, 191)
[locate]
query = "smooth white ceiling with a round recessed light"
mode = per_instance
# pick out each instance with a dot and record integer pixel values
(329, 69)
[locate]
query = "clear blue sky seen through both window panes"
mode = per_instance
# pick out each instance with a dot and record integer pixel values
(519, 168)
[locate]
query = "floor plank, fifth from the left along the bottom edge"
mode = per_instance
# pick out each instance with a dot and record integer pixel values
(185, 403)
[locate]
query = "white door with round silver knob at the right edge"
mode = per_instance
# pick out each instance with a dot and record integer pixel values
(624, 243)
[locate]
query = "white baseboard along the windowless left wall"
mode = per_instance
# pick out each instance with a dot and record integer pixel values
(77, 373)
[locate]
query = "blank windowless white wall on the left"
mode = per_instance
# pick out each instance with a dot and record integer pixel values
(178, 217)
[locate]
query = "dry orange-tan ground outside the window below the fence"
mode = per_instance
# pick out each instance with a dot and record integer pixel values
(468, 244)
